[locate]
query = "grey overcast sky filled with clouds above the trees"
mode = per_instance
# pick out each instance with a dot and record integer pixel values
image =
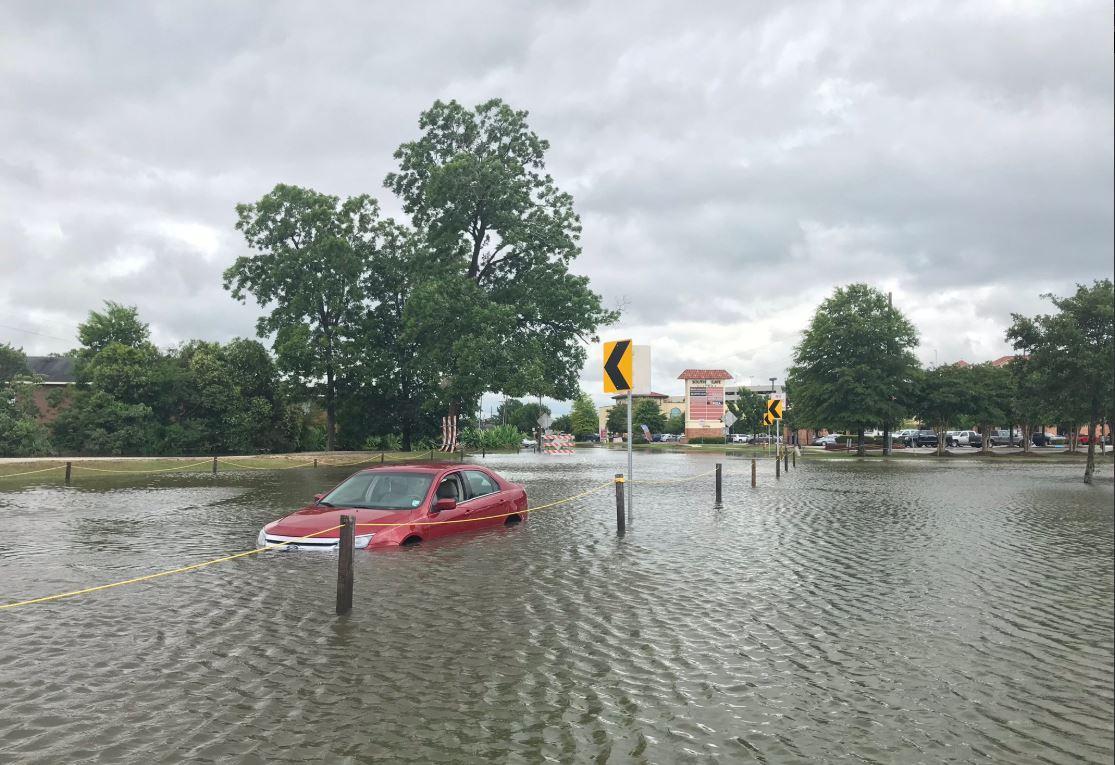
(732, 162)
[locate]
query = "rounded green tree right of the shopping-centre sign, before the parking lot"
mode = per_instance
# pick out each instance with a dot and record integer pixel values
(854, 367)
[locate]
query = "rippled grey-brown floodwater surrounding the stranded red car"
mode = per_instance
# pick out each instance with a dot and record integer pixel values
(909, 613)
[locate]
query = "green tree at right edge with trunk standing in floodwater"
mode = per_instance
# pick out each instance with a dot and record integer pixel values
(1073, 351)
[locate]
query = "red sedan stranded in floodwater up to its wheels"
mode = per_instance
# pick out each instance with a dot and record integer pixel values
(415, 502)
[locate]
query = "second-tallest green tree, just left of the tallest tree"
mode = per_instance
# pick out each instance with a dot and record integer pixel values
(308, 268)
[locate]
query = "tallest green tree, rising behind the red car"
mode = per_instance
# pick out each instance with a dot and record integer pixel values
(505, 236)
